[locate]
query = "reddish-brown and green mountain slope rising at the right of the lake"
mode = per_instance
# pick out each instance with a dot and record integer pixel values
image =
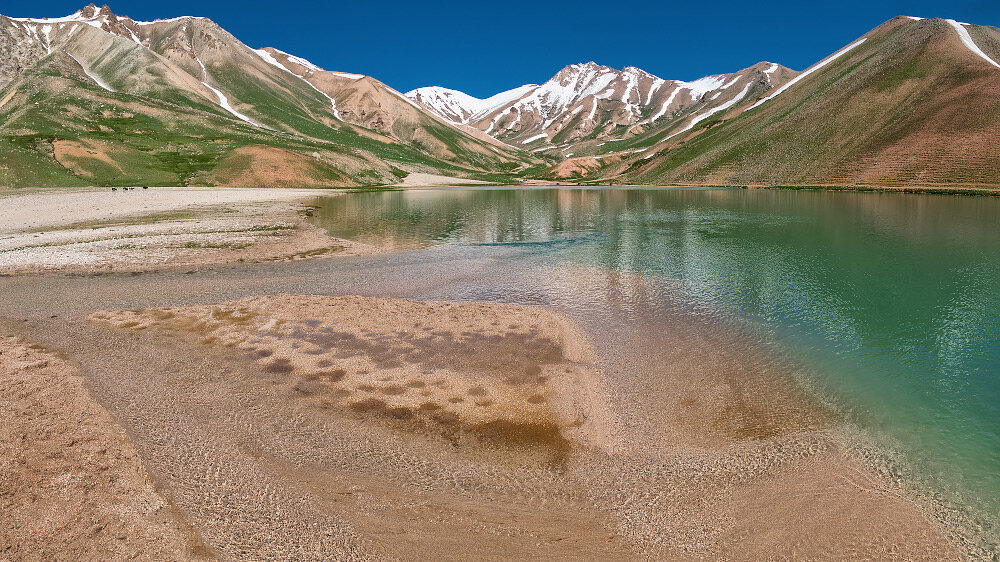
(910, 103)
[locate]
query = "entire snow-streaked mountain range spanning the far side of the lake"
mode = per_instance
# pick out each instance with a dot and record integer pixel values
(100, 99)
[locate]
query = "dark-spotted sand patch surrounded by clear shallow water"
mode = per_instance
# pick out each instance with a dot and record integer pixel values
(500, 377)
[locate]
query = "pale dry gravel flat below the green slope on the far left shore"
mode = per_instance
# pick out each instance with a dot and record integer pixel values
(140, 230)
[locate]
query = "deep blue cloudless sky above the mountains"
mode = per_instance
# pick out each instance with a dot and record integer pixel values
(486, 47)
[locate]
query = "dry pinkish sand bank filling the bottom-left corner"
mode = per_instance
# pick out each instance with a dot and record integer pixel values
(71, 484)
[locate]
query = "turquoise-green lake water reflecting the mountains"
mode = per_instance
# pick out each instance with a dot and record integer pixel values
(891, 300)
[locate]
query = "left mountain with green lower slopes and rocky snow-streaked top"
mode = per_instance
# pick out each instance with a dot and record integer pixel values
(97, 98)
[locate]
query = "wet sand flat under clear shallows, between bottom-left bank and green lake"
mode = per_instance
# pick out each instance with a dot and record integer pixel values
(283, 417)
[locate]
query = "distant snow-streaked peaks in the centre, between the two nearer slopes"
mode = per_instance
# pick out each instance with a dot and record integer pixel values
(593, 102)
